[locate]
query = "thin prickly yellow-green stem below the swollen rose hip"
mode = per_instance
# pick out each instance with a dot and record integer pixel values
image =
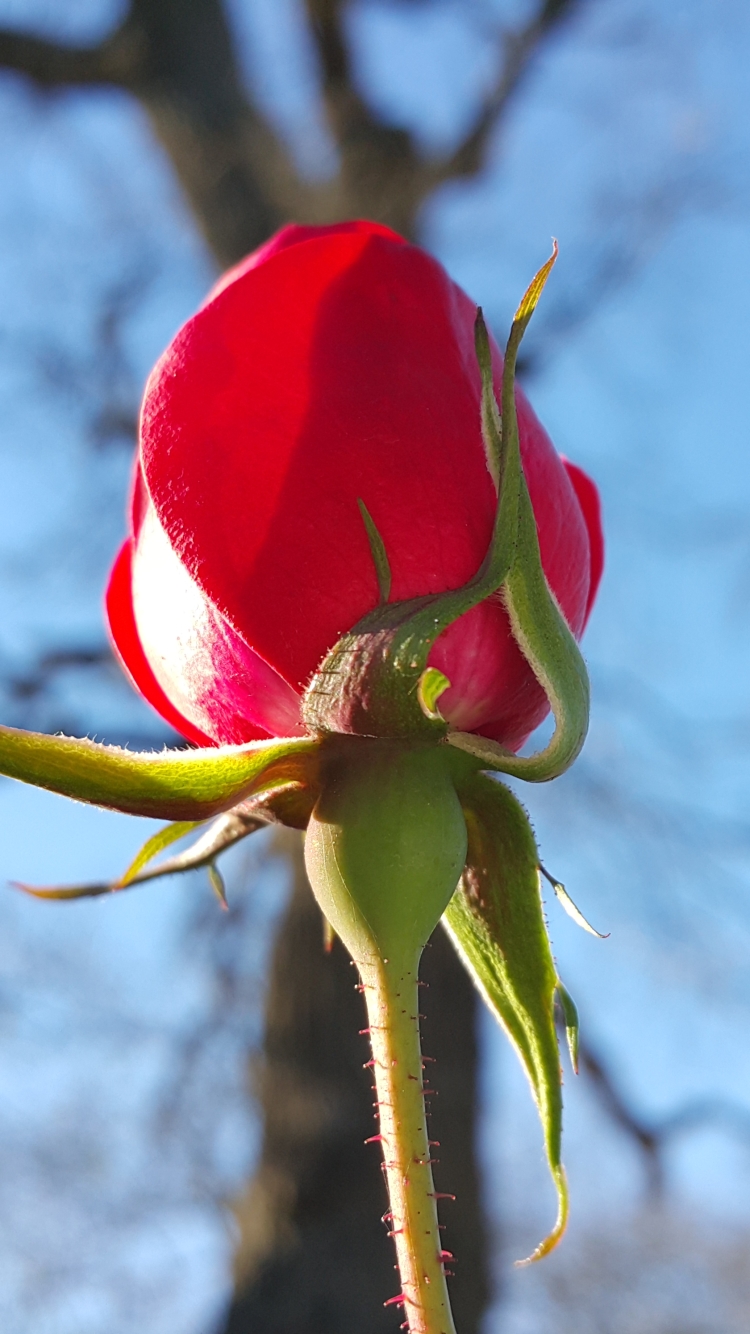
(392, 997)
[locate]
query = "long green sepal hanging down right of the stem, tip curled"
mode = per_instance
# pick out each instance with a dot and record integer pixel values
(496, 921)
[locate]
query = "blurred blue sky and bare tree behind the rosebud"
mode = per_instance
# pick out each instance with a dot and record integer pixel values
(142, 147)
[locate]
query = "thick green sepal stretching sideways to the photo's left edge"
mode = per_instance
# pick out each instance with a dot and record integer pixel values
(190, 785)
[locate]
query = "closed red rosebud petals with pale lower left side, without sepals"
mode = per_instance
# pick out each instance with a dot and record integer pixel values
(334, 365)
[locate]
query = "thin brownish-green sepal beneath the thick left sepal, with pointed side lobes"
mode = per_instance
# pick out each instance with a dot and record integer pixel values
(222, 834)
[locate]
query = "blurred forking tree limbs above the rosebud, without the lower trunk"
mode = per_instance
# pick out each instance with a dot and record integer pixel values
(177, 58)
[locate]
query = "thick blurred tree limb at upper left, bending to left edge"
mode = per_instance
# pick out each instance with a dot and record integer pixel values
(177, 57)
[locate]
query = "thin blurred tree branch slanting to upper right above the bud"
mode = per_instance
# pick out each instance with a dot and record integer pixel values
(520, 51)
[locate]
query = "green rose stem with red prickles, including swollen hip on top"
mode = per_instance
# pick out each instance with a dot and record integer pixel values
(385, 849)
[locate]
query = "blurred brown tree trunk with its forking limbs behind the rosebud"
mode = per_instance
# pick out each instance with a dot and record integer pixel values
(313, 1257)
